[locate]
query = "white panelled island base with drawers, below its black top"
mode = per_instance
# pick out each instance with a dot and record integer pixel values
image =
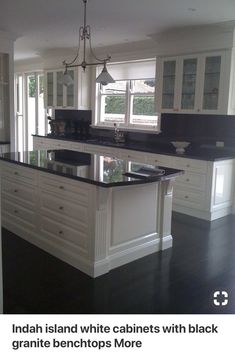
(87, 226)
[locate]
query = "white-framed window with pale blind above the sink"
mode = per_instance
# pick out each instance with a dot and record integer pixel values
(129, 102)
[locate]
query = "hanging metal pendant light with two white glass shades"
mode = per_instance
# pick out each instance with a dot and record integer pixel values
(85, 36)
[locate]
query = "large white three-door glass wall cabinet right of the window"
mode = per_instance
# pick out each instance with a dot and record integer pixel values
(200, 83)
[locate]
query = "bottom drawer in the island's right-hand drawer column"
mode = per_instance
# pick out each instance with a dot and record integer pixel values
(64, 233)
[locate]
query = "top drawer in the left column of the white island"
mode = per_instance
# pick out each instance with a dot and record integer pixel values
(17, 173)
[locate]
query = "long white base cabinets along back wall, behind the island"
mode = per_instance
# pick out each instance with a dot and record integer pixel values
(204, 191)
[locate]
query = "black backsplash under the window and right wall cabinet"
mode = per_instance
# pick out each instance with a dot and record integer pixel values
(197, 129)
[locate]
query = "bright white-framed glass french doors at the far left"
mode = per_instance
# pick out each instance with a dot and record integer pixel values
(30, 112)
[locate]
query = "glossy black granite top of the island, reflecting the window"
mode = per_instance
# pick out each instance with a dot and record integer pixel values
(99, 170)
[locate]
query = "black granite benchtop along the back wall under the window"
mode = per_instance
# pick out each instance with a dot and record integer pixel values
(194, 152)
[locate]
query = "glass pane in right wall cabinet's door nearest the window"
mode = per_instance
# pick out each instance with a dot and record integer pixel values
(168, 85)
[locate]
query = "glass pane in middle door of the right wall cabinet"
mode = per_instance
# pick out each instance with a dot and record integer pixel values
(189, 84)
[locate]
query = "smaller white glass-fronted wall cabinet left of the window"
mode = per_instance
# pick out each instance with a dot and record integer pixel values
(74, 96)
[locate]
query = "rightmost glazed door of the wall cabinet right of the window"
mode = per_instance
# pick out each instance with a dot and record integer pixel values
(212, 78)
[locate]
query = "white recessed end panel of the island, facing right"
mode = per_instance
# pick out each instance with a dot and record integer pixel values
(131, 229)
